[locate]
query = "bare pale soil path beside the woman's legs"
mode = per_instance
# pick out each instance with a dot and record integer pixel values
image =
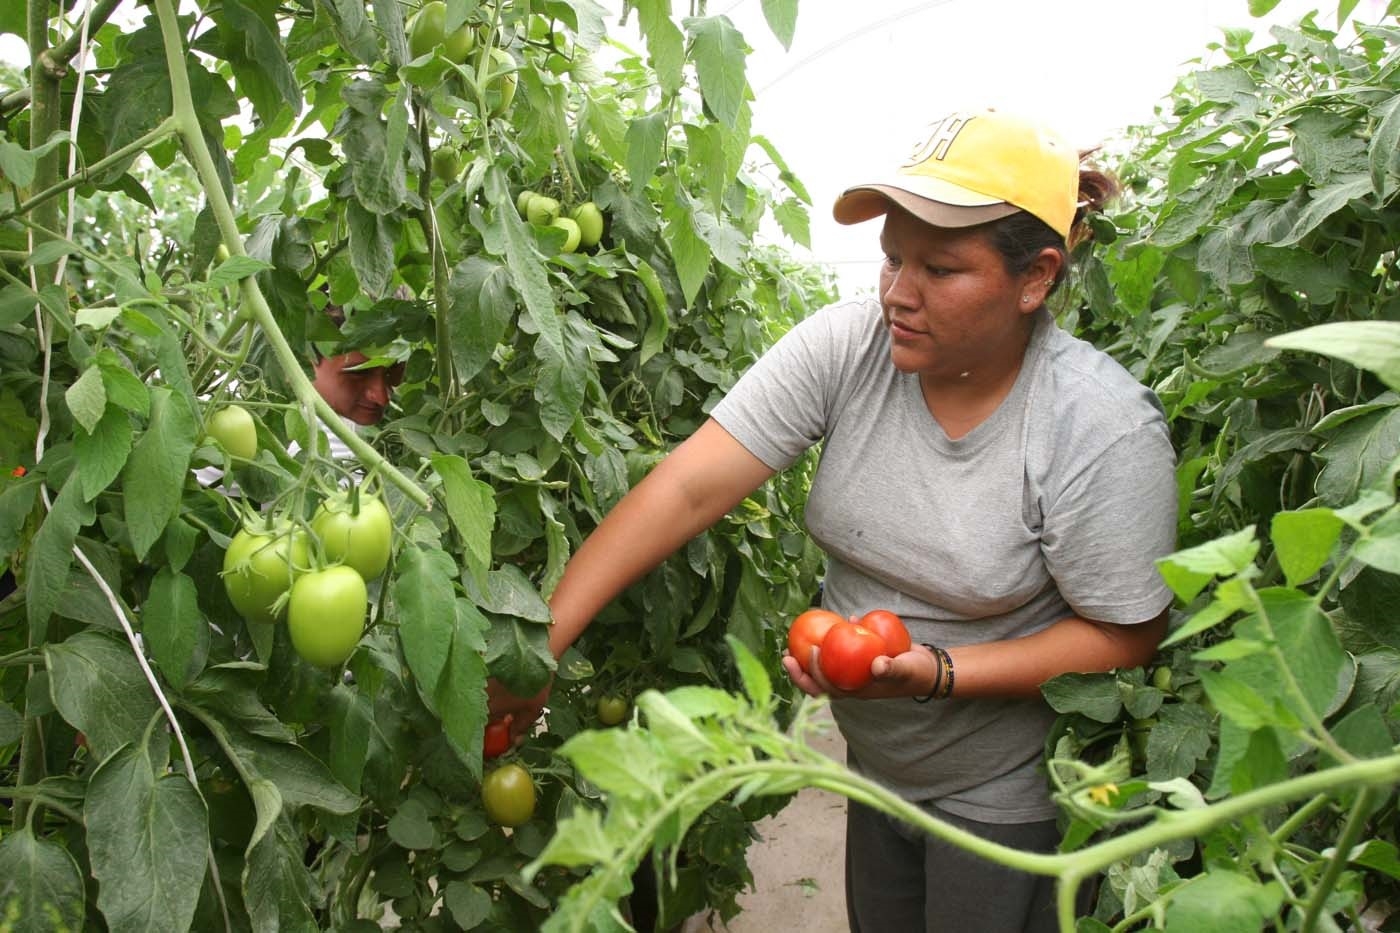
(797, 866)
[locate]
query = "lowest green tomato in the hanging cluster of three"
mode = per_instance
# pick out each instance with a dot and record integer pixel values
(325, 616)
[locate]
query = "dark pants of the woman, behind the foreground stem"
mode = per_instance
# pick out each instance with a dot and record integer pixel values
(901, 880)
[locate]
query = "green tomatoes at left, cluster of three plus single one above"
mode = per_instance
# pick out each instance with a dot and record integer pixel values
(268, 569)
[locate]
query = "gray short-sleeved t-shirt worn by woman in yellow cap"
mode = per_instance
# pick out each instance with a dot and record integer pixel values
(1058, 505)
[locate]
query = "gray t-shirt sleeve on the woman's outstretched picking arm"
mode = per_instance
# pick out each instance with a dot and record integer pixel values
(783, 404)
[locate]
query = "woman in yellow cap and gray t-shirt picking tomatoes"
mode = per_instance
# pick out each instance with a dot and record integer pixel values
(1000, 485)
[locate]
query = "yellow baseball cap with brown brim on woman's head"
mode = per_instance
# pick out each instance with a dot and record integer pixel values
(974, 167)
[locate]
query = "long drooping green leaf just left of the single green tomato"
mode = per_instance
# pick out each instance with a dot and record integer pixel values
(153, 480)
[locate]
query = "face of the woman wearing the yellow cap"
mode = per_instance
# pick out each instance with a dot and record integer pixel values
(950, 303)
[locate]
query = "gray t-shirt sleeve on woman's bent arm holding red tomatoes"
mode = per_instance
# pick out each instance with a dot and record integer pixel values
(1112, 523)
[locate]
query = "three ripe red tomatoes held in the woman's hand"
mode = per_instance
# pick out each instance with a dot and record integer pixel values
(846, 649)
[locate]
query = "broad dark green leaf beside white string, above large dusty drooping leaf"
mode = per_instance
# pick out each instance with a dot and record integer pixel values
(100, 690)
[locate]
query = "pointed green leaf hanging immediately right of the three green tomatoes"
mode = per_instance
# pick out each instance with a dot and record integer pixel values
(422, 590)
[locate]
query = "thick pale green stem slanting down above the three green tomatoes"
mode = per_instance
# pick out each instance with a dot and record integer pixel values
(188, 127)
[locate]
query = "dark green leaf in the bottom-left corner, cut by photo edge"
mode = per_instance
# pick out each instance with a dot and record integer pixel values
(43, 887)
